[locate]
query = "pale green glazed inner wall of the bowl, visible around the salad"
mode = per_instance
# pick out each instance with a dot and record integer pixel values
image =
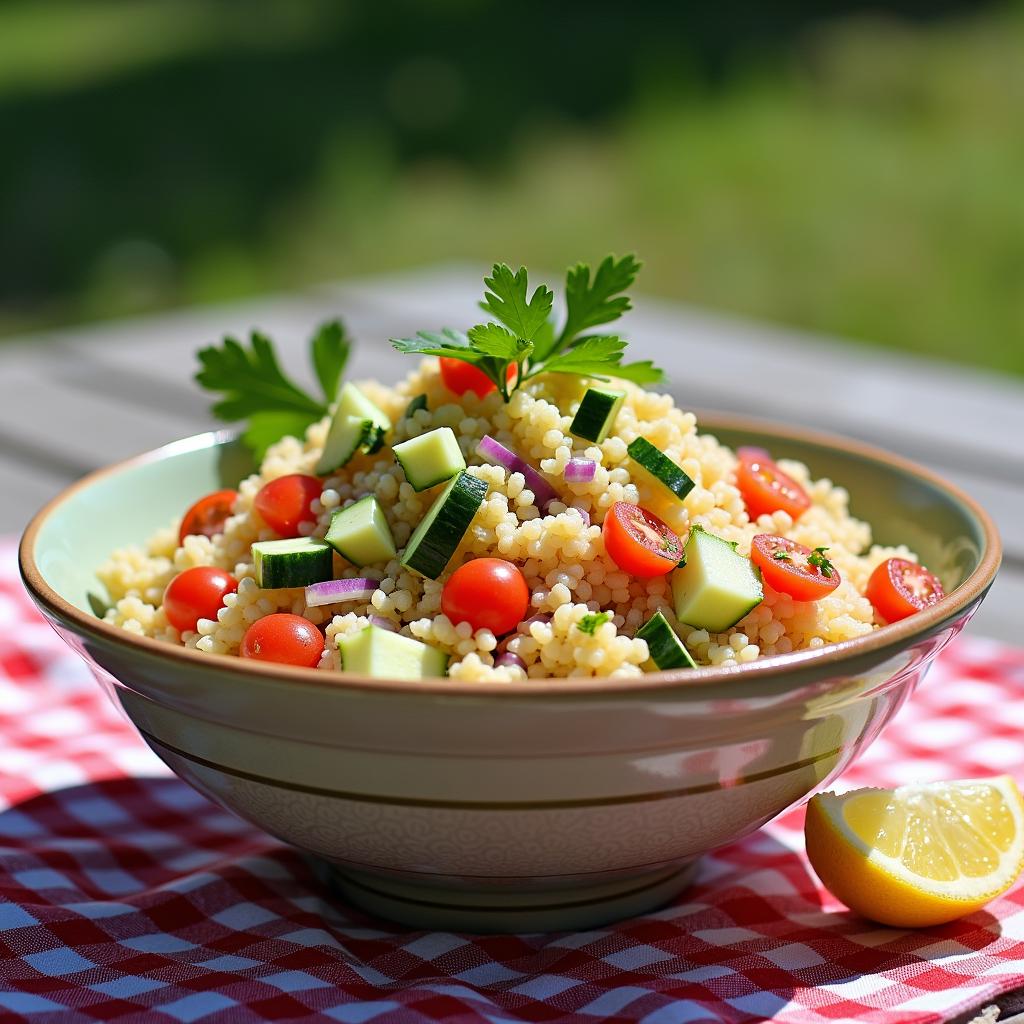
(127, 503)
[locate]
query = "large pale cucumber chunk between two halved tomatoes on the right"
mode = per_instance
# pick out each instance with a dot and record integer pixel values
(717, 586)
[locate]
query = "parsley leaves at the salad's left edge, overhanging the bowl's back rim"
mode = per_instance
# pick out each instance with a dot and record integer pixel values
(255, 389)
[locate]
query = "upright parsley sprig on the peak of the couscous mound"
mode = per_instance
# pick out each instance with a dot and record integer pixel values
(524, 334)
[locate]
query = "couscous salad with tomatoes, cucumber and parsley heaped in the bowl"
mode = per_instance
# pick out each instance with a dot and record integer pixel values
(520, 506)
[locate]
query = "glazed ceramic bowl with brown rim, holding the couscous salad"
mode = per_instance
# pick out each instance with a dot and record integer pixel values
(518, 807)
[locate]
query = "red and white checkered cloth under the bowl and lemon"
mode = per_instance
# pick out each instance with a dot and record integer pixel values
(126, 897)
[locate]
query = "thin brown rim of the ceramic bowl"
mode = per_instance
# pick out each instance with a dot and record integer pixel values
(899, 634)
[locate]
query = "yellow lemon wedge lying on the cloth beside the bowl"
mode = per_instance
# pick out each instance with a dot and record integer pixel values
(922, 855)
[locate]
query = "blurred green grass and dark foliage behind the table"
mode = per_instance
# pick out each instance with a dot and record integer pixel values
(816, 165)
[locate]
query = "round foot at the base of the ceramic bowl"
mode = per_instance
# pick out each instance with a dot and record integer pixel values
(569, 909)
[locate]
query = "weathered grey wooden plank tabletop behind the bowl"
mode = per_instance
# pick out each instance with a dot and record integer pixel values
(76, 400)
